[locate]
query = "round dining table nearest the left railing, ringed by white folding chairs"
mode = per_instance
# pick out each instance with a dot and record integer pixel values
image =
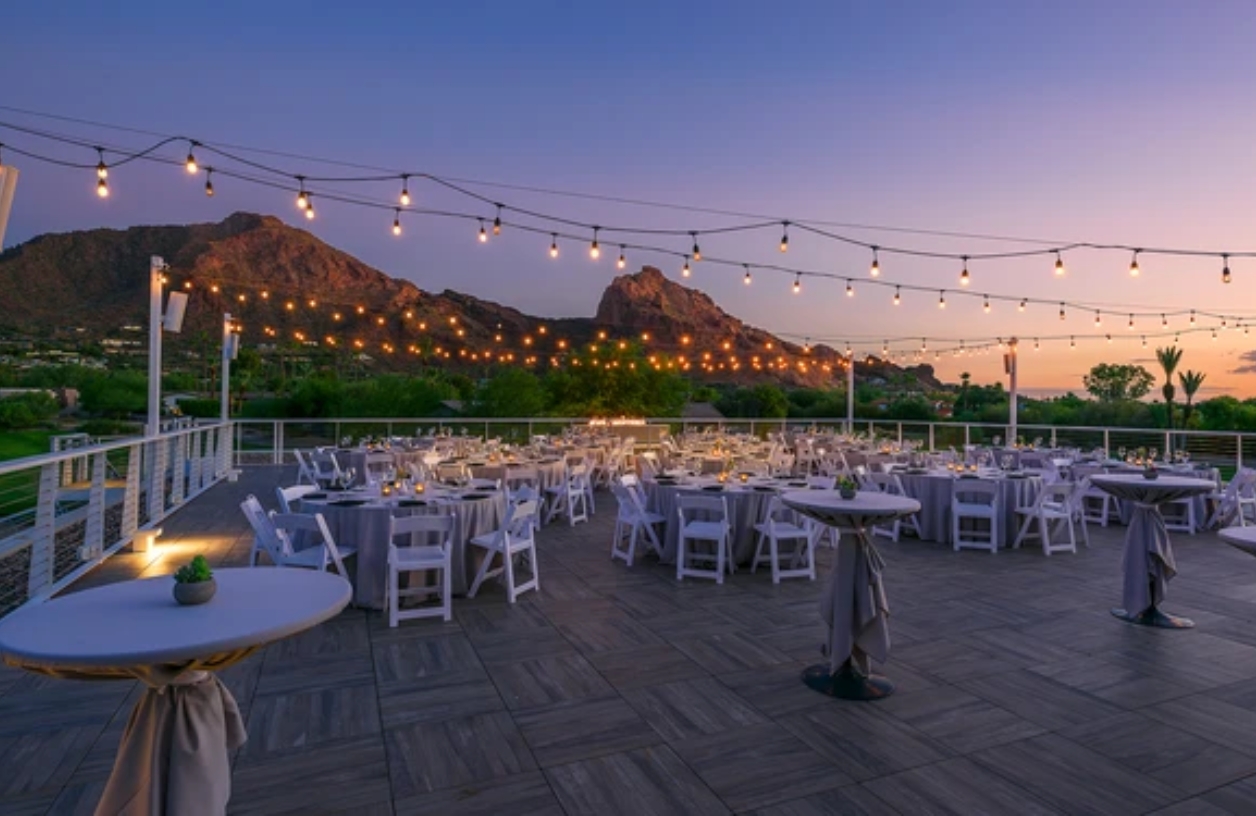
(362, 520)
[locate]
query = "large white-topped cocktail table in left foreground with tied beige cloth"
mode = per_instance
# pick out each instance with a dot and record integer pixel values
(175, 755)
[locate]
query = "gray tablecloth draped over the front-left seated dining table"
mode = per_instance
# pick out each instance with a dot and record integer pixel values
(366, 528)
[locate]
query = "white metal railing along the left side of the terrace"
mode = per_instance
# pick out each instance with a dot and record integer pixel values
(65, 513)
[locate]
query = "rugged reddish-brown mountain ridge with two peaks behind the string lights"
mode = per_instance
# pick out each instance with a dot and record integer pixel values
(291, 289)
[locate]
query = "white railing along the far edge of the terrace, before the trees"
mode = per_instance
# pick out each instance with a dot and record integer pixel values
(272, 441)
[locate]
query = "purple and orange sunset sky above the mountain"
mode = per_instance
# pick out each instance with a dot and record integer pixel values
(1117, 122)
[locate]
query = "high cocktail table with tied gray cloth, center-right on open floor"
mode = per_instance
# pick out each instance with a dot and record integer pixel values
(853, 606)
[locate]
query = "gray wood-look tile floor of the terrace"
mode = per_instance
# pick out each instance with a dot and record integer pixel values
(617, 691)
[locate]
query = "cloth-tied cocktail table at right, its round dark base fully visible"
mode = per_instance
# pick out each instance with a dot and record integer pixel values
(1149, 563)
